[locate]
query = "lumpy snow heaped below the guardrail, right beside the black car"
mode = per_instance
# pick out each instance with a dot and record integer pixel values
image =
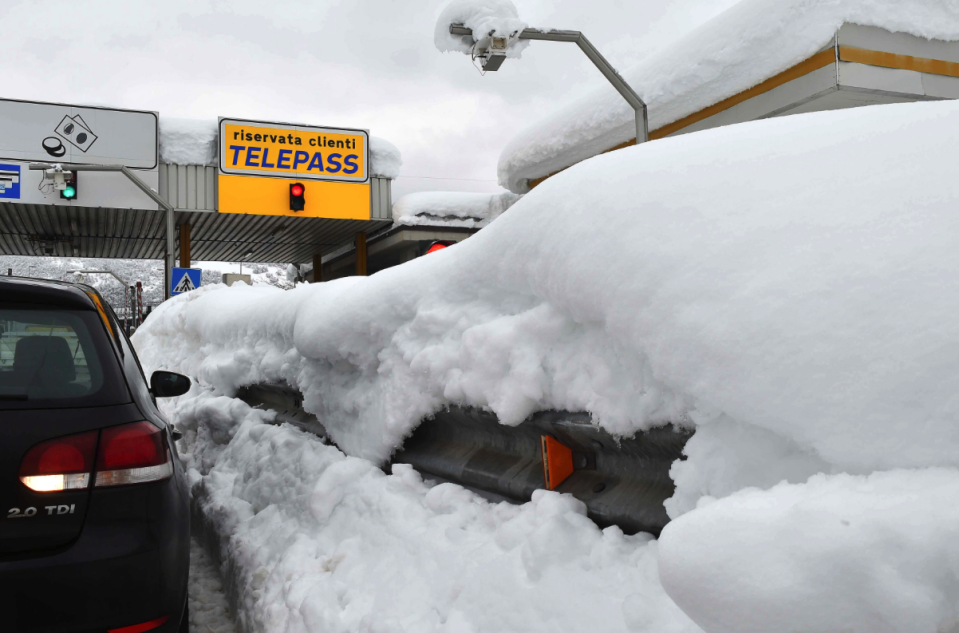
(317, 541)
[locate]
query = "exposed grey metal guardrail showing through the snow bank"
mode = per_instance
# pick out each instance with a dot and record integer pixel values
(621, 481)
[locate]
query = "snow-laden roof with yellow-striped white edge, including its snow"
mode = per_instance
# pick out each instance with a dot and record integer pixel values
(757, 60)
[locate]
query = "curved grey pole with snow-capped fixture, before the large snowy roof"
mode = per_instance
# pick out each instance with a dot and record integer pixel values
(490, 31)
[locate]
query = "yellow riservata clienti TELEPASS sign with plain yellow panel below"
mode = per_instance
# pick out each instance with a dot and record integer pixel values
(259, 162)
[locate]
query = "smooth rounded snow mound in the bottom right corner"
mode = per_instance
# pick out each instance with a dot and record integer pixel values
(840, 553)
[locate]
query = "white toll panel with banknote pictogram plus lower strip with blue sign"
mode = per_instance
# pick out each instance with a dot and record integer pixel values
(32, 132)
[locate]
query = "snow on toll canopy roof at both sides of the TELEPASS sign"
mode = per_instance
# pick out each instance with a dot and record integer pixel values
(194, 142)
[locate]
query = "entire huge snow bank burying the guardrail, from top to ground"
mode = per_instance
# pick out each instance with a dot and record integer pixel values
(786, 288)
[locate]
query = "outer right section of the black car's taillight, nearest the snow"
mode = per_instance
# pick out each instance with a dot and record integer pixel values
(132, 454)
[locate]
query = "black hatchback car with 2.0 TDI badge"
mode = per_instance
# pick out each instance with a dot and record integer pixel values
(95, 527)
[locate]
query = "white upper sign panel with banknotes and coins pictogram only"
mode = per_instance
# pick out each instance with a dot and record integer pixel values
(48, 132)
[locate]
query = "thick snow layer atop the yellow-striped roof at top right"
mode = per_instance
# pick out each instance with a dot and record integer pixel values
(740, 48)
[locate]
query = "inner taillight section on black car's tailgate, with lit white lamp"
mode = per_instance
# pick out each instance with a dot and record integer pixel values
(61, 464)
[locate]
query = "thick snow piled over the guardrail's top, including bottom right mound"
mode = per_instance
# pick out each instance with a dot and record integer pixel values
(787, 286)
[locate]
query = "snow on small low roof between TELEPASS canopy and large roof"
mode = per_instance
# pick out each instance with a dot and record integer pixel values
(451, 208)
